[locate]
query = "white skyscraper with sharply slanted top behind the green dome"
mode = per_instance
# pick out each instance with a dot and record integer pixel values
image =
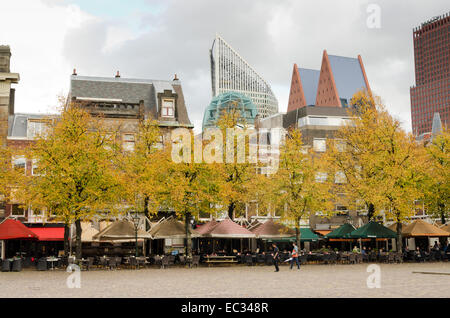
(230, 72)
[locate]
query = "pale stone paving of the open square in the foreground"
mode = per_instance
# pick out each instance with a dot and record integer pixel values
(397, 280)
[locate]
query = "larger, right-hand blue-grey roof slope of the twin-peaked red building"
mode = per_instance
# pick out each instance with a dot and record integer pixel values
(348, 75)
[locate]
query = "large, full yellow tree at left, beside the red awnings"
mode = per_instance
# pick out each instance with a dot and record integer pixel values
(77, 175)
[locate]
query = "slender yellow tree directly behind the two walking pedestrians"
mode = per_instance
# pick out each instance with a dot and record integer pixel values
(297, 186)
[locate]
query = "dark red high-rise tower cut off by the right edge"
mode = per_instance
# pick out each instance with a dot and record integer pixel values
(431, 94)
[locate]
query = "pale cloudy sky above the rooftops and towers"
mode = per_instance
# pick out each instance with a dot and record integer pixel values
(156, 39)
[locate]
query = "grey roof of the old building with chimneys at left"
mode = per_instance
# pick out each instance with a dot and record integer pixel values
(129, 90)
